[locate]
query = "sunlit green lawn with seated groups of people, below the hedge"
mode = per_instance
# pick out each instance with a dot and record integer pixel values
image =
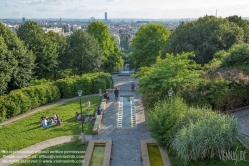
(28, 131)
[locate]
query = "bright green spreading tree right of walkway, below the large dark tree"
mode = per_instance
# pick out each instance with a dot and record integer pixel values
(174, 72)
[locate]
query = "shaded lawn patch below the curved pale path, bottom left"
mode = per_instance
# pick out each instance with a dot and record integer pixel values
(65, 154)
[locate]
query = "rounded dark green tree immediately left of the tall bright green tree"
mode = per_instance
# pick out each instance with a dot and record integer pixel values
(84, 52)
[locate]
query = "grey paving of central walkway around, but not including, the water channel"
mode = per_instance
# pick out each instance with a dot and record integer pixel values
(126, 142)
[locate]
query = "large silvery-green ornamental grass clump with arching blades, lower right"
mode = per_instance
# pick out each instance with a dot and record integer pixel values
(203, 134)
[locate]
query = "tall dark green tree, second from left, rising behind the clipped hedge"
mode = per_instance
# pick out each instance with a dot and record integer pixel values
(41, 45)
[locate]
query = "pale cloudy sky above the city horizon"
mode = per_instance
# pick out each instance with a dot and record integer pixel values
(146, 9)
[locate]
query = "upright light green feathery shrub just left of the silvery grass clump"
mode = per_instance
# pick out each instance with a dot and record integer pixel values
(164, 116)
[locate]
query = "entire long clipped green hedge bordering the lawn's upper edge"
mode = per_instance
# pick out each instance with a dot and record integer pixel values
(23, 100)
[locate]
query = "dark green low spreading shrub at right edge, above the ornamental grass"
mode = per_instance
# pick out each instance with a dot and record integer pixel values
(218, 94)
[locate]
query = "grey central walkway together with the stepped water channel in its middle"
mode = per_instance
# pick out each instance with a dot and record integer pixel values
(126, 137)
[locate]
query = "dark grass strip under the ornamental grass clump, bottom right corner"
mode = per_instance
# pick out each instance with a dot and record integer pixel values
(217, 161)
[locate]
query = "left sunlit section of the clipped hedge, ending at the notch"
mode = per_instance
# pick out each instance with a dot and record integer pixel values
(25, 99)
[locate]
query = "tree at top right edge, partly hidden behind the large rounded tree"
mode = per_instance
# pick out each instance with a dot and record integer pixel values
(244, 24)
